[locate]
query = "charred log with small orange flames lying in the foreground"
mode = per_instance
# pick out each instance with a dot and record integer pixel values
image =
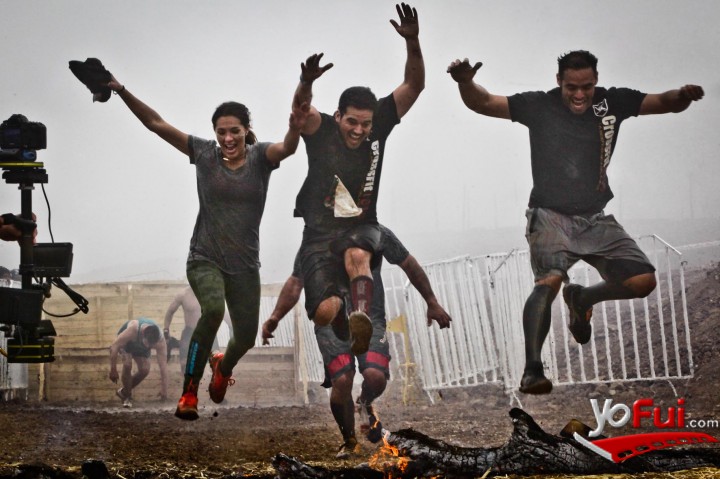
(530, 450)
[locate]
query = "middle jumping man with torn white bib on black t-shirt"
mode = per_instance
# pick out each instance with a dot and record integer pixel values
(339, 196)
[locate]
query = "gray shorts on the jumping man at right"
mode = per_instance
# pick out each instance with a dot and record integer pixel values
(559, 241)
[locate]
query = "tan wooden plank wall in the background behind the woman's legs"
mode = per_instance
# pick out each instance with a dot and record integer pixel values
(265, 376)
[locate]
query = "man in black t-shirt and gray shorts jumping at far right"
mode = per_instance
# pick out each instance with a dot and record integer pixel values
(573, 131)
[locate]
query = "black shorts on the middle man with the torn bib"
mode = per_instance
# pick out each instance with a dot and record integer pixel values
(322, 265)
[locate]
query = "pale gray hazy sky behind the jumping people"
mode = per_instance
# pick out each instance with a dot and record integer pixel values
(454, 182)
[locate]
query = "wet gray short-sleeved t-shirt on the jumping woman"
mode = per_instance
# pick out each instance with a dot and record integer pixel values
(231, 206)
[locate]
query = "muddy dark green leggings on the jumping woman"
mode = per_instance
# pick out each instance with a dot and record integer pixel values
(213, 289)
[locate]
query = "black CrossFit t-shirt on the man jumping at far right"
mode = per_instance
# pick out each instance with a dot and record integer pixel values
(570, 153)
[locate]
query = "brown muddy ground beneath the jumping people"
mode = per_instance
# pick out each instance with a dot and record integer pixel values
(231, 440)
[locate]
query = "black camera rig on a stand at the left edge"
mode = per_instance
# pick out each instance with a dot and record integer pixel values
(29, 337)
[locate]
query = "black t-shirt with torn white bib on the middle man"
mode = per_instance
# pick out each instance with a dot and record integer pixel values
(359, 170)
